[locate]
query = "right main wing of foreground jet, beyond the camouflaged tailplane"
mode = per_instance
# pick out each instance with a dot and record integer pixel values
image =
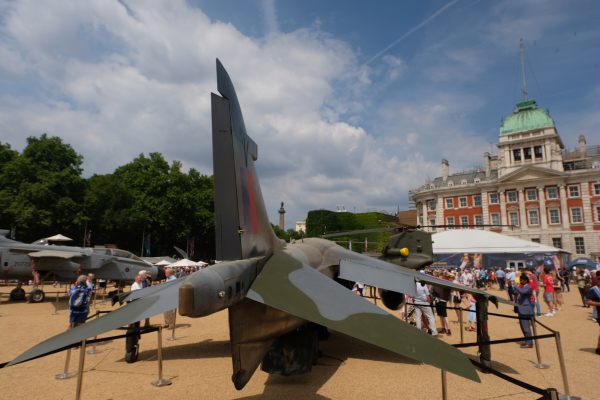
(388, 276)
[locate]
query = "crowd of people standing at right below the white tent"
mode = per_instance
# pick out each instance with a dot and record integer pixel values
(536, 290)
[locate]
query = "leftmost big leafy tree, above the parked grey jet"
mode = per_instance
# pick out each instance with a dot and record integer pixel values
(42, 188)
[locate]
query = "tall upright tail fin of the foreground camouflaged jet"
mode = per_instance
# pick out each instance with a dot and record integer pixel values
(242, 227)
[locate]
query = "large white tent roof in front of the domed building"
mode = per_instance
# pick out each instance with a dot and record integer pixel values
(485, 242)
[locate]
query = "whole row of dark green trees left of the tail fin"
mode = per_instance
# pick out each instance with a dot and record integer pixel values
(145, 201)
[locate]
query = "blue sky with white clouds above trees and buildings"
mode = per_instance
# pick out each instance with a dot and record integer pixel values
(351, 103)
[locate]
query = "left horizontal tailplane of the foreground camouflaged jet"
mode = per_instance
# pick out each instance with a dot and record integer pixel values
(157, 299)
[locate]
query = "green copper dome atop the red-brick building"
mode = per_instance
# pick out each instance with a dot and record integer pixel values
(526, 117)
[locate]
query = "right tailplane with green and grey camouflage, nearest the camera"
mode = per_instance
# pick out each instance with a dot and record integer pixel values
(289, 285)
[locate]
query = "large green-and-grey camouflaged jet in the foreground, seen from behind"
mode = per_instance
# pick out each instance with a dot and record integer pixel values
(280, 297)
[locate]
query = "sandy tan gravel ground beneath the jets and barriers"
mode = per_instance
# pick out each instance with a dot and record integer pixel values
(199, 365)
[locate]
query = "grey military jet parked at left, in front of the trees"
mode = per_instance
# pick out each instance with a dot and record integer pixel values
(63, 263)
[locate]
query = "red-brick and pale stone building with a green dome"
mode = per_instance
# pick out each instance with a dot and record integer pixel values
(546, 193)
